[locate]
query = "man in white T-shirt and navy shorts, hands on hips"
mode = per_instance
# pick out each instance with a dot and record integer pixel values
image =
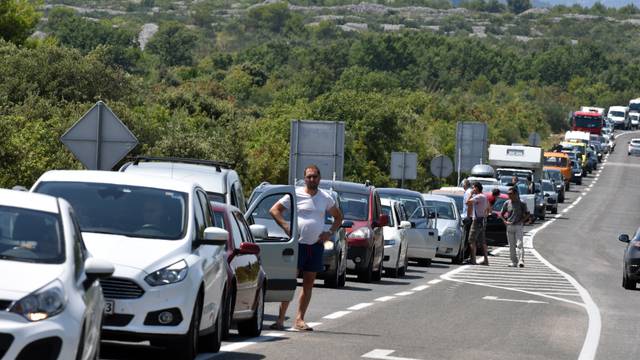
(312, 204)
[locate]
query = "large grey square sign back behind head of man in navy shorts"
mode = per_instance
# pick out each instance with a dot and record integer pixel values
(316, 142)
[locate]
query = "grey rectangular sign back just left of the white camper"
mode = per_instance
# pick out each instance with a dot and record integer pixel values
(471, 145)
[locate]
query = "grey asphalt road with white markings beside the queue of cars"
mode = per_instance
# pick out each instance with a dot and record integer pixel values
(447, 311)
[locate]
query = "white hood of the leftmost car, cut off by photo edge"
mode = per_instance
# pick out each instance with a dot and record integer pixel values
(29, 277)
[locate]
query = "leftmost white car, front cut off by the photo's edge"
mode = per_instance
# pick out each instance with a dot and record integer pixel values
(51, 307)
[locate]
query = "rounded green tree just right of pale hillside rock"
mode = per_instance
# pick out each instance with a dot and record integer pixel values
(173, 44)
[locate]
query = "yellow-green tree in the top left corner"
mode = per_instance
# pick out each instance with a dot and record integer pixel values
(18, 18)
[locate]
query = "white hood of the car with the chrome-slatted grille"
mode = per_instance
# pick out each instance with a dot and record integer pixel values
(139, 253)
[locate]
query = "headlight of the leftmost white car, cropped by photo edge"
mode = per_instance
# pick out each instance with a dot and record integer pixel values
(43, 303)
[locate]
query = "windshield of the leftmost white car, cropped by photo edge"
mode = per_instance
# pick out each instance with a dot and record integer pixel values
(30, 236)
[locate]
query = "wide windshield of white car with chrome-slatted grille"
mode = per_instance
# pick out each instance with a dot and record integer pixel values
(126, 210)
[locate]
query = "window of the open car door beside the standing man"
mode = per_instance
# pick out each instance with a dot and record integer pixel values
(261, 216)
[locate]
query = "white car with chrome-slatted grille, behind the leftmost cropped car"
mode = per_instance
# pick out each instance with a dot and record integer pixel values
(169, 281)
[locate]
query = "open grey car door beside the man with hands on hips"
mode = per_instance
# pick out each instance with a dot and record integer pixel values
(278, 252)
